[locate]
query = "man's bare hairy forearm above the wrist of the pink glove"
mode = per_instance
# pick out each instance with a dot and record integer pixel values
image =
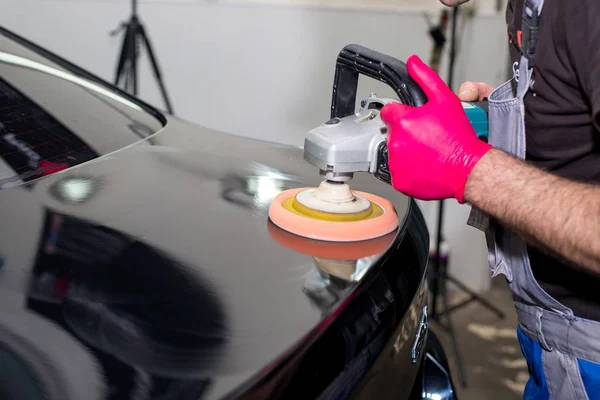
(550, 211)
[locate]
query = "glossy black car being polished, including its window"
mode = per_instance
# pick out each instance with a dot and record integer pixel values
(137, 260)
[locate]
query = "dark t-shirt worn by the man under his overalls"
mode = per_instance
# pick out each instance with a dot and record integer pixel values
(562, 123)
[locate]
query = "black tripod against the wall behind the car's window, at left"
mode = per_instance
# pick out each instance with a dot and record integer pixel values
(126, 71)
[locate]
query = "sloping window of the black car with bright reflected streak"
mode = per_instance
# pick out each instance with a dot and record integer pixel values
(53, 117)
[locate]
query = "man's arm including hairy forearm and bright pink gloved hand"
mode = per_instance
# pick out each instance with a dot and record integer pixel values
(434, 154)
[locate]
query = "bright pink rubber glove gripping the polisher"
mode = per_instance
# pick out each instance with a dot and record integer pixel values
(432, 148)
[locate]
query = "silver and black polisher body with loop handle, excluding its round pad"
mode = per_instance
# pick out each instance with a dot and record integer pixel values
(352, 141)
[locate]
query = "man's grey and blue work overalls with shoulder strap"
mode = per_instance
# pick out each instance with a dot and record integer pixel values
(561, 349)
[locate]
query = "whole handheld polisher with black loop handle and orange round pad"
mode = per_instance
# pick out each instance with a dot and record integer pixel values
(351, 142)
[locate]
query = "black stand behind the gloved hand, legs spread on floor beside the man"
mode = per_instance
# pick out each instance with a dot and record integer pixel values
(440, 276)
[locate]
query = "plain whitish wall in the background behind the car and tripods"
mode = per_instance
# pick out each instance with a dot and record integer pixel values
(264, 68)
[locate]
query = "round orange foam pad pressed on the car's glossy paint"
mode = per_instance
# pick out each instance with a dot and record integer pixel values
(382, 220)
